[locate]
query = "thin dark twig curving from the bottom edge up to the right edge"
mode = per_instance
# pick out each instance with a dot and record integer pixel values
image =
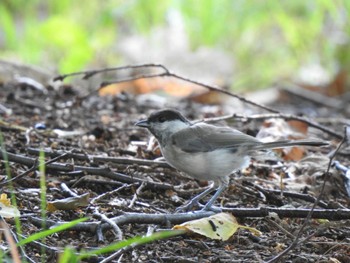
(309, 216)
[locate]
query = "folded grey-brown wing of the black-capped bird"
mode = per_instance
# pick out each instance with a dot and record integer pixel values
(204, 138)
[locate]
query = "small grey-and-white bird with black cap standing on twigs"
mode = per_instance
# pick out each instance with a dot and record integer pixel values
(206, 152)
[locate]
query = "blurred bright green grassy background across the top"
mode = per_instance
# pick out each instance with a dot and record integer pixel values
(266, 40)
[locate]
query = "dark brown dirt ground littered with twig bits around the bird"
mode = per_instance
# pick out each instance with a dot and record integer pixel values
(95, 159)
